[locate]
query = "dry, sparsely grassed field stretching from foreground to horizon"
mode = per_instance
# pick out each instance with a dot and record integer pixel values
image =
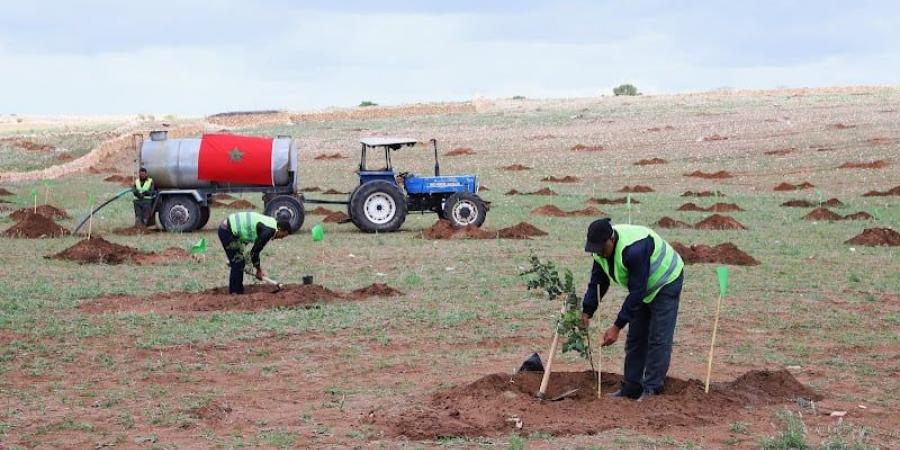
(130, 356)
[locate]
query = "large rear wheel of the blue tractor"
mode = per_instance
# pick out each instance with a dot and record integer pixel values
(377, 206)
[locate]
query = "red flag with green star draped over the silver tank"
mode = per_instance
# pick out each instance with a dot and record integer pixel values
(232, 159)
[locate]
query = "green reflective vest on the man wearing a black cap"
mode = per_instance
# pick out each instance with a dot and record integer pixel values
(665, 263)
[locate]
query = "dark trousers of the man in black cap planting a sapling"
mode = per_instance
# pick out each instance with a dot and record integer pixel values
(648, 347)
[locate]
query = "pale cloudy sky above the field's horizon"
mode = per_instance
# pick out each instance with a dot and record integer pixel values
(187, 57)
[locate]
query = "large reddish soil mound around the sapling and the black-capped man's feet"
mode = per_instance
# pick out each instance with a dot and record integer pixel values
(500, 404)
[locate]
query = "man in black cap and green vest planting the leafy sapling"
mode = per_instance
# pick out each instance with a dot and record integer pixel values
(636, 258)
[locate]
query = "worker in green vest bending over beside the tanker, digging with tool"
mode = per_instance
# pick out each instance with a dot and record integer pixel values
(245, 228)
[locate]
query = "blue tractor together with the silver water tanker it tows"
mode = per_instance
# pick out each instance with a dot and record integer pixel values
(187, 172)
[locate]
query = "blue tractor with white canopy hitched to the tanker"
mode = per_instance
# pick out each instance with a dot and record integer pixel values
(383, 198)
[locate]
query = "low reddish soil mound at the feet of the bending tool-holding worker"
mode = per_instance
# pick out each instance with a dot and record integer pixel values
(256, 297)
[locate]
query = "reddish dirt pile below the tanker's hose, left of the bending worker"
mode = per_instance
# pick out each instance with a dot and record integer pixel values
(97, 250)
